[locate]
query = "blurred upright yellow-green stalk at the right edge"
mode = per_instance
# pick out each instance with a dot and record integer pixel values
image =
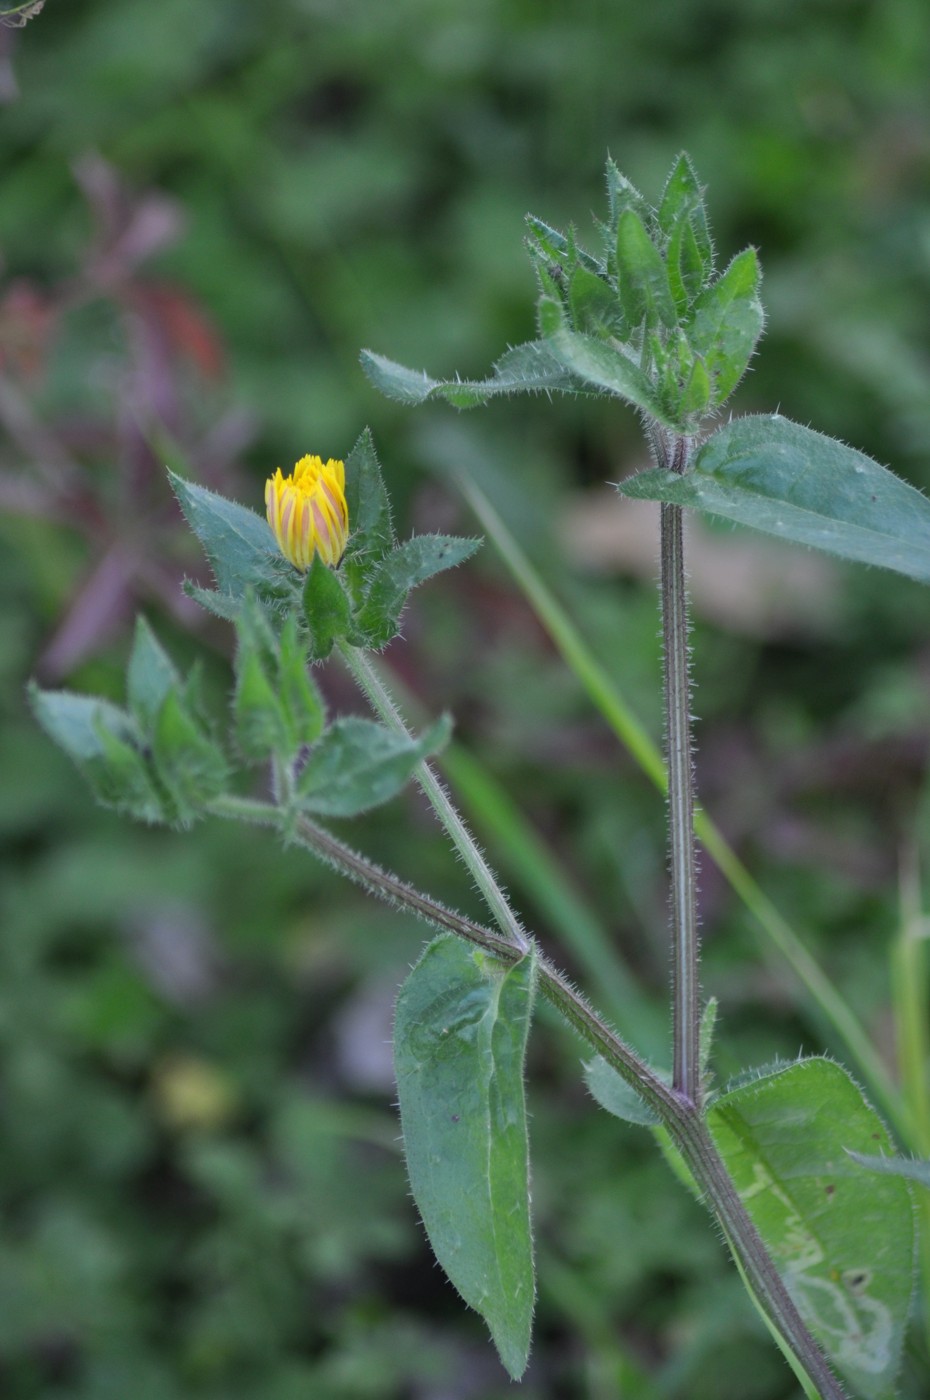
(911, 1004)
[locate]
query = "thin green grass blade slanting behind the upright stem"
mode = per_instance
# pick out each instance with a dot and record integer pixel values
(631, 733)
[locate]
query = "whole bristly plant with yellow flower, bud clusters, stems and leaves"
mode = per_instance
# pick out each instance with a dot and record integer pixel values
(809, 1186)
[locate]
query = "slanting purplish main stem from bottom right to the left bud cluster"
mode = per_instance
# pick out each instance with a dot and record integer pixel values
(680, 1116)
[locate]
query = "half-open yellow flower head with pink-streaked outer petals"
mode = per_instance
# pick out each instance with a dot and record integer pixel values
(307, 512)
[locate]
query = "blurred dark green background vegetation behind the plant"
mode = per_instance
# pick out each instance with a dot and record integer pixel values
(205, 212)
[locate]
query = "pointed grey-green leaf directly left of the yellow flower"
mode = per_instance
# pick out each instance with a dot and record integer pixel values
(239, 544)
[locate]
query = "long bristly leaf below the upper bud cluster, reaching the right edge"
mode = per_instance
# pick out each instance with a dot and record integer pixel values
(788, 481)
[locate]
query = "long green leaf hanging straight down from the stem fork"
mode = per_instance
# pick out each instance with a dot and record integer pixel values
(460, 1045)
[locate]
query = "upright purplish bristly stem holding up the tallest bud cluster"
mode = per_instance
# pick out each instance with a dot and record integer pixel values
(683, 857)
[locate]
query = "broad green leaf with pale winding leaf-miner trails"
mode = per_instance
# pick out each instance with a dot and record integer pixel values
(842, 1244)
